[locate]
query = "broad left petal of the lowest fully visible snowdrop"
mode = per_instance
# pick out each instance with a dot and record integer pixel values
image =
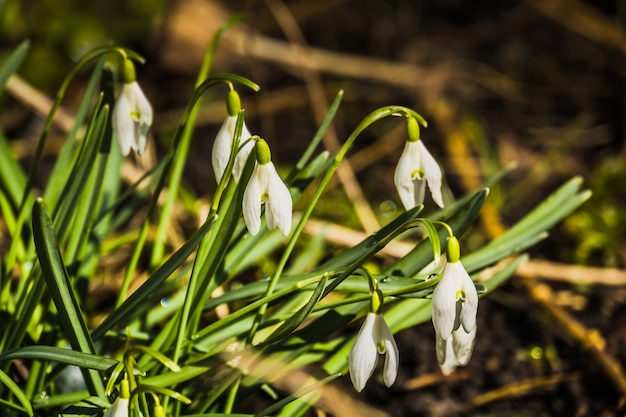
(363, 354)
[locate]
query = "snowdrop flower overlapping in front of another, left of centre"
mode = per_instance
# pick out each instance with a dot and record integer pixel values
(265, 186)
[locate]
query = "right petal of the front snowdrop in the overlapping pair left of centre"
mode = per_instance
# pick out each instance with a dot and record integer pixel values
(279, 203)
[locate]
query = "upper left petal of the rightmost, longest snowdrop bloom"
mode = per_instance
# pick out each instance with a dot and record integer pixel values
(444, 302)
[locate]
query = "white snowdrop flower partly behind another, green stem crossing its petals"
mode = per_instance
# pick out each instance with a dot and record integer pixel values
(224, 141)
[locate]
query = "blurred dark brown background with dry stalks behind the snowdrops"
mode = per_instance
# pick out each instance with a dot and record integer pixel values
(538, 83)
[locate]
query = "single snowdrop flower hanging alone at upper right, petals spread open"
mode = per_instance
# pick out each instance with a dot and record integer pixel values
(415, 169)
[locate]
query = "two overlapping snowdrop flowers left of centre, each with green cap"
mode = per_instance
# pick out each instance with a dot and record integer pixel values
(265, 185)
